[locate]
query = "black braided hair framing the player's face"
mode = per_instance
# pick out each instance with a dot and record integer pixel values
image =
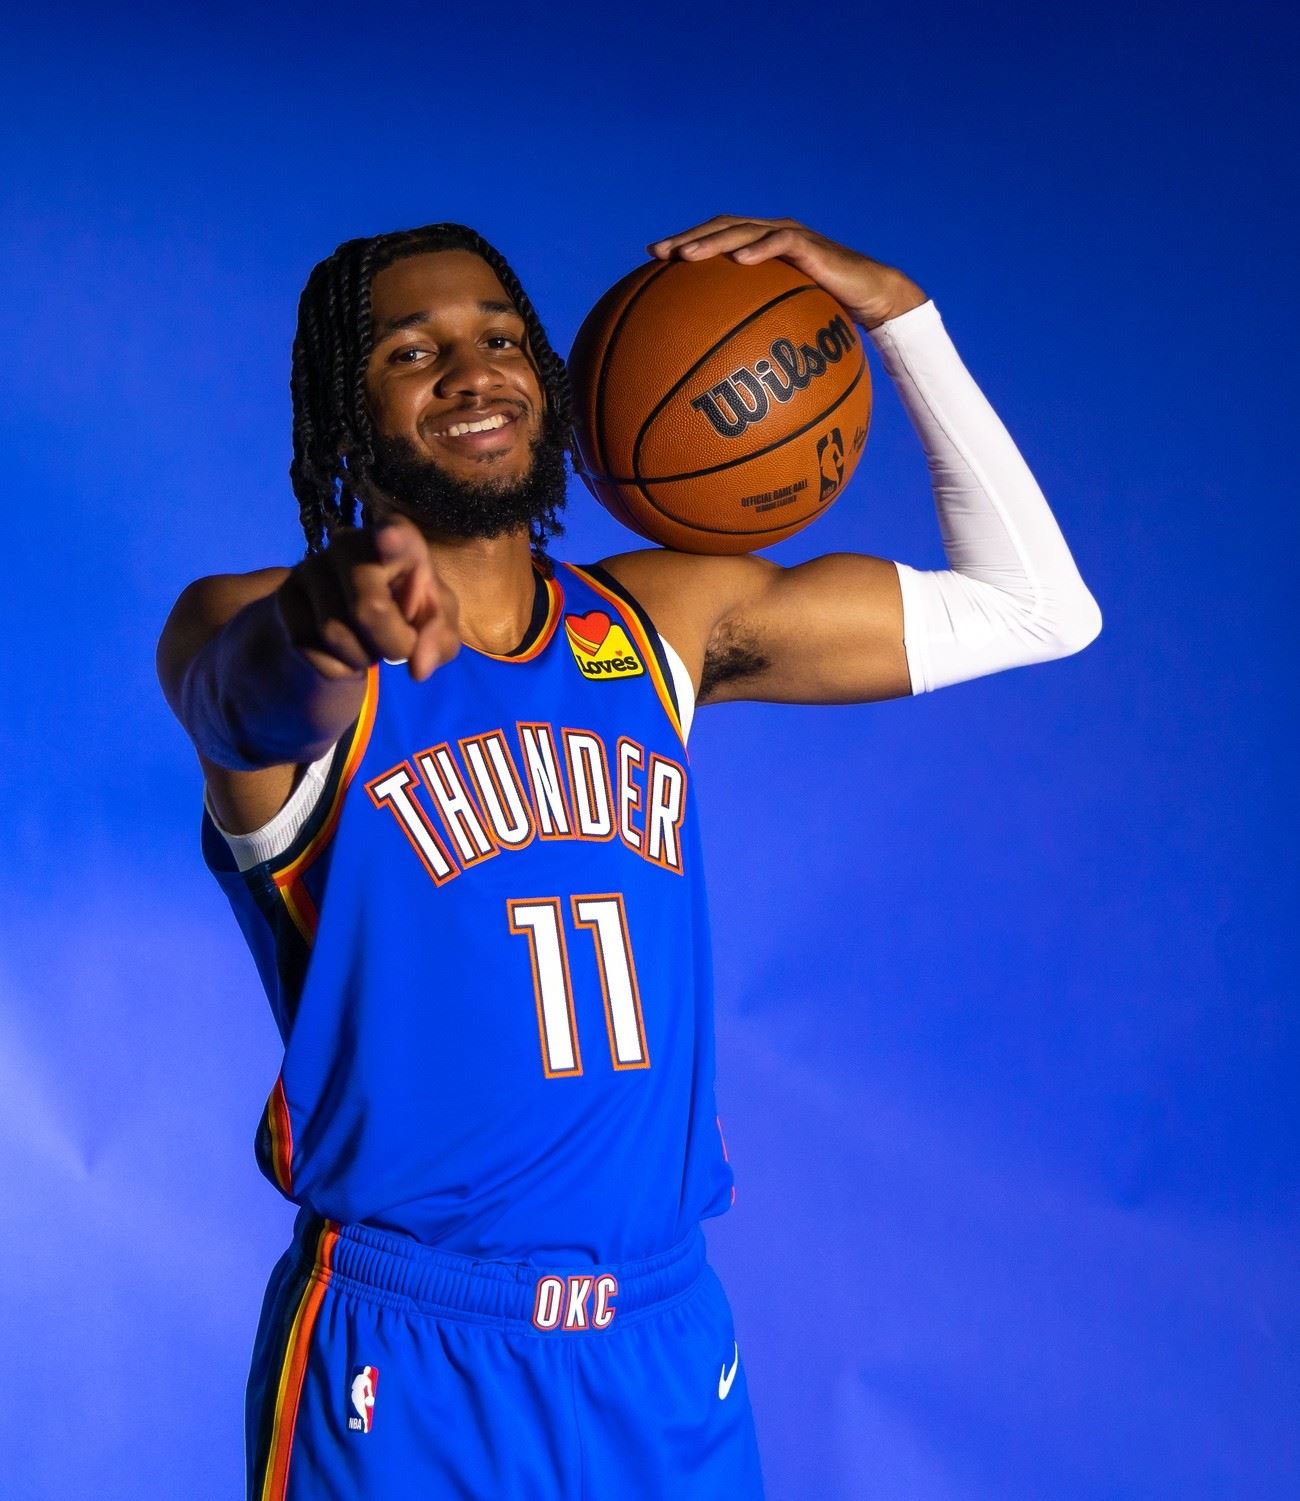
(333, 438)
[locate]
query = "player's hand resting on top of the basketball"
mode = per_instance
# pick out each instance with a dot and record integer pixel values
(870, 290)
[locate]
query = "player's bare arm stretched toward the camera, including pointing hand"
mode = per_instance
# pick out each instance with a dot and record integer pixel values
(268, 670)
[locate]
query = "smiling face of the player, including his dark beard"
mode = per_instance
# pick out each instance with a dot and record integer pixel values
(451, 353)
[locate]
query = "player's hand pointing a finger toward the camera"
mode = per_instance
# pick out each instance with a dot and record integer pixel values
(372, 594)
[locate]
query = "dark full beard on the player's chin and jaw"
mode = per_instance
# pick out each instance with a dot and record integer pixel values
(444, 504)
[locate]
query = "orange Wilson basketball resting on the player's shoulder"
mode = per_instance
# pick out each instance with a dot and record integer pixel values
(718, 408)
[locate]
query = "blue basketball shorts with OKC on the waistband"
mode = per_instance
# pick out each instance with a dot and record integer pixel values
(387, 1370)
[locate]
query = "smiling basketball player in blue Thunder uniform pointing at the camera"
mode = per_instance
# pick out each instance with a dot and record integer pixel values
(471, 876)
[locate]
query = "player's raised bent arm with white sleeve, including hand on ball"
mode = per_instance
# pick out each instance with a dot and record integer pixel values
(847, 628)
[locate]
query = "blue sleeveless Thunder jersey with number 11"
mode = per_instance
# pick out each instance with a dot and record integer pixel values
(489, 954)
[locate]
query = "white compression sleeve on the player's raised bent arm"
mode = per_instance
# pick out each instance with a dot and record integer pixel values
(1013, 595)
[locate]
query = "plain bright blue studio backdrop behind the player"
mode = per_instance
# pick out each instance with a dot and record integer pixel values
(1008, 1015)
